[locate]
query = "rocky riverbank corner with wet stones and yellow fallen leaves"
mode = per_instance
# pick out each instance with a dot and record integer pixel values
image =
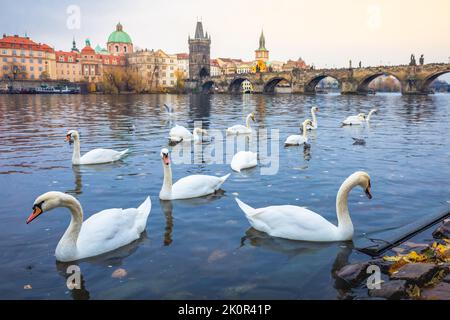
(416, 271)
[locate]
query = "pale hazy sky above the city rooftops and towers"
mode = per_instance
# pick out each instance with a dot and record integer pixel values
(324, 32)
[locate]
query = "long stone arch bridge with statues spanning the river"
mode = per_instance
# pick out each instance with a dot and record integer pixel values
(413, 79)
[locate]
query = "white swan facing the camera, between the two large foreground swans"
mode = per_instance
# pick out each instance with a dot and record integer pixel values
(192, 186)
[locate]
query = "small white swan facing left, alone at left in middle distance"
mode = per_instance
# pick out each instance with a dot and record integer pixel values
(96, 156)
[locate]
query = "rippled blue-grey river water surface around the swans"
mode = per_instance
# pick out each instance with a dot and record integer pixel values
(204, 248)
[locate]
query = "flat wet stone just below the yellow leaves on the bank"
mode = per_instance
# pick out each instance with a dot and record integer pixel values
(417, 273)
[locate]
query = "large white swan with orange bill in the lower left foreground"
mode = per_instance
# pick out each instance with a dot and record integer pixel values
(104, 231)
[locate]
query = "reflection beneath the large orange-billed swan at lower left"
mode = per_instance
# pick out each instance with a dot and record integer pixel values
(113, 258)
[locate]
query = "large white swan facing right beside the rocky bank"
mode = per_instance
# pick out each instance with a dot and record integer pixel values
(299, 223)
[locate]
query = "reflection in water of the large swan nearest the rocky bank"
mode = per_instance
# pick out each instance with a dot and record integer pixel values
(306, 254)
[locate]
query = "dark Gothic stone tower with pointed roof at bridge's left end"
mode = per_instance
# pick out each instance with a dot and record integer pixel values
(199, 53)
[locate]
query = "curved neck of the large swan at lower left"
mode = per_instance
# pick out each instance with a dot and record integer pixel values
(69, 240)
